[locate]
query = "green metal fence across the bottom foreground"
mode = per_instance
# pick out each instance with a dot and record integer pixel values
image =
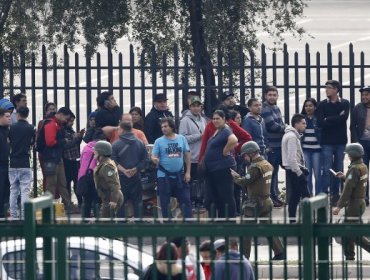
(52, 249)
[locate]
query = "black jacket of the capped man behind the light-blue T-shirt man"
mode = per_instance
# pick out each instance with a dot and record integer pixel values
(152, 127)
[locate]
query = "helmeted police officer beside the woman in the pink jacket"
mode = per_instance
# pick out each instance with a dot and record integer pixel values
(106, 180)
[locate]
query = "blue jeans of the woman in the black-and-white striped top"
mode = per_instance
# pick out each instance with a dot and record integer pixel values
(313, 164)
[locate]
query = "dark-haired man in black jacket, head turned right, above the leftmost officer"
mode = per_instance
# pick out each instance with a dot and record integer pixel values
(109, 112)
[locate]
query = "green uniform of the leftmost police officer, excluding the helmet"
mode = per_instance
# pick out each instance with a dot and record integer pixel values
(107, 185)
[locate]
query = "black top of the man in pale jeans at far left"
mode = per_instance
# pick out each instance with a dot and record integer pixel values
(21, 137)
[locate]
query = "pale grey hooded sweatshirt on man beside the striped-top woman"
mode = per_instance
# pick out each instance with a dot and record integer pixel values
(291, 150)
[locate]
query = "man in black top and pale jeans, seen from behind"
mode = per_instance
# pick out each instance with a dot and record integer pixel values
(21, 138)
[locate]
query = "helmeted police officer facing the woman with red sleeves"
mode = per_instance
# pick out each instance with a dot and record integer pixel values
(257, 181)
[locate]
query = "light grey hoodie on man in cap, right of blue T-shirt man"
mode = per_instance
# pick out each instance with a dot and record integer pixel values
(193, 128)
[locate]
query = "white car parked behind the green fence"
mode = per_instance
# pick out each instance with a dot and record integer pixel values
(88, 258)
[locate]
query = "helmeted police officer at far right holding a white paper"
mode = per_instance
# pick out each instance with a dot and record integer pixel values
(353, 196)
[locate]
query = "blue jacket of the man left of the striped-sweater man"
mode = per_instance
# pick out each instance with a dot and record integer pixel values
(257, 129)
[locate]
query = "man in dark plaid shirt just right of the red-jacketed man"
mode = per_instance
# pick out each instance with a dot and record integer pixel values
(71, 156)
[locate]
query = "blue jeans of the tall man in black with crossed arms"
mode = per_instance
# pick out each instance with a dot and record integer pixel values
(332, 157)
